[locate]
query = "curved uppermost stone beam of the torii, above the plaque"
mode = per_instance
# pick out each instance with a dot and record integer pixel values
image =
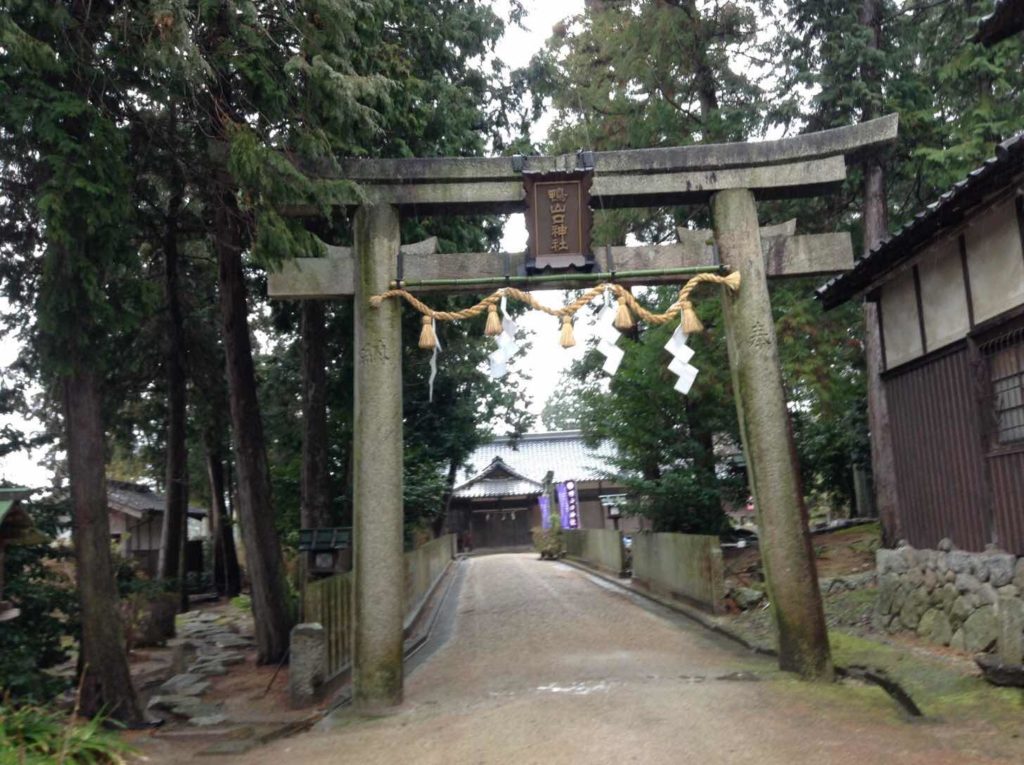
(712, 157)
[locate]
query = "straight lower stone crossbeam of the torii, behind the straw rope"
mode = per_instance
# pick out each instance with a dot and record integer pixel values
(785, 257)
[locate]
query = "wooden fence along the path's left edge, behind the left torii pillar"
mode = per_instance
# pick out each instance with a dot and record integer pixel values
(331, 602)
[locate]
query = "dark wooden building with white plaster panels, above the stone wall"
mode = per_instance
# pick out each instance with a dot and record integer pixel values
(950, 287)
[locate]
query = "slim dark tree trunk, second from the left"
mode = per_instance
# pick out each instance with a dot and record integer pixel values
(176, 530)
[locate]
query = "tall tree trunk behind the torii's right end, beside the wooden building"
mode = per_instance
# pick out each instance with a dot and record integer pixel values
(876, 230)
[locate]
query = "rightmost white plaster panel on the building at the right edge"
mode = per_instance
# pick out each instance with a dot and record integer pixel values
(996, 262)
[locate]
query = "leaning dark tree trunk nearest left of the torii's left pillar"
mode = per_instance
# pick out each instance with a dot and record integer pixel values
(272, 609)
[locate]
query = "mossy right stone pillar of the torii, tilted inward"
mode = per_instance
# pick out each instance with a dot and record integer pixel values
(767, 438)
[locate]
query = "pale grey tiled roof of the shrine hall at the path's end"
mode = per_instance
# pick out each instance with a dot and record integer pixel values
(529, 460)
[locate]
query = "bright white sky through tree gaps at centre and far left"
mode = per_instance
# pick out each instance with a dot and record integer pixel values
(543, 363)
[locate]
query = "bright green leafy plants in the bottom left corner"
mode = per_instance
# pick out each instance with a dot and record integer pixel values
(34, 736)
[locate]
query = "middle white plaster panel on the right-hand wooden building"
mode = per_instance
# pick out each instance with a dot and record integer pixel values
(944, 295)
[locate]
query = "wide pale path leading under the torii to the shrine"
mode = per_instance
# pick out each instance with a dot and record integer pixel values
(546, 666)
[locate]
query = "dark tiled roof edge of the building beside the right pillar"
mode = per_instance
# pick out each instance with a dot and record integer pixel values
(950, 210)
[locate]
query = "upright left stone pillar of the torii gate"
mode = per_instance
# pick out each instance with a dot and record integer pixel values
(377, 670)
